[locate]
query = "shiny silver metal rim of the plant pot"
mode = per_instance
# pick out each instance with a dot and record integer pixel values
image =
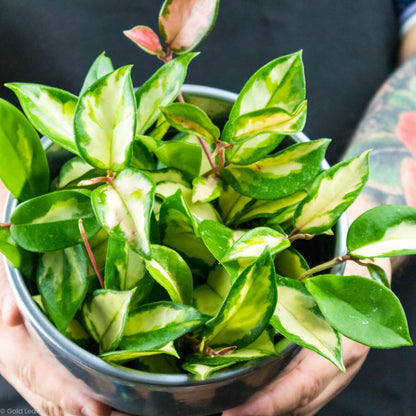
(49, 333)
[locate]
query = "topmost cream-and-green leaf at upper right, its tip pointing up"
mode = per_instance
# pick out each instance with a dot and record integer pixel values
(280, 83)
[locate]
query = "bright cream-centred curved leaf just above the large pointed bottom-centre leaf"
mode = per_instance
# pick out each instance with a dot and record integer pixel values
(247, 248)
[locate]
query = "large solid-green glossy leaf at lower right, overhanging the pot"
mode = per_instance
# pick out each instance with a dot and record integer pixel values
(361, 309)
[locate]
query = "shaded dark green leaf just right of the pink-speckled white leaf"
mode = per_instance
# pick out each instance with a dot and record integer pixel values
(179, 230)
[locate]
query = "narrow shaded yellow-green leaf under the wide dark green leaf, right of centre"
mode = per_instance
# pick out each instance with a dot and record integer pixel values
(270, 208)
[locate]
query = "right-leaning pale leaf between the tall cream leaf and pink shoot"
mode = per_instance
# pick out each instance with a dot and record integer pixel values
(160, 90)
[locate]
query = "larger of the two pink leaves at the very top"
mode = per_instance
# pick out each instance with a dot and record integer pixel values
(184, 23)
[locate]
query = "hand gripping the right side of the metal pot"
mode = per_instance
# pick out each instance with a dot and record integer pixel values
(309, 381)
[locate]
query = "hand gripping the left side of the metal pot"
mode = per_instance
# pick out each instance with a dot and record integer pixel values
(40, 380)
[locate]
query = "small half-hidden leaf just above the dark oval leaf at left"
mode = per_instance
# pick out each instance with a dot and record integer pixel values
(76, 170)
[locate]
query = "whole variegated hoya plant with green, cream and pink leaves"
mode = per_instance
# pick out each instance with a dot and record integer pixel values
(167, 243)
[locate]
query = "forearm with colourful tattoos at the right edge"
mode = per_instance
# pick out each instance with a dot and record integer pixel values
(389, 129)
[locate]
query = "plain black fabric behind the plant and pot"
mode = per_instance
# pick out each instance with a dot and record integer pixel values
(349, 49)
